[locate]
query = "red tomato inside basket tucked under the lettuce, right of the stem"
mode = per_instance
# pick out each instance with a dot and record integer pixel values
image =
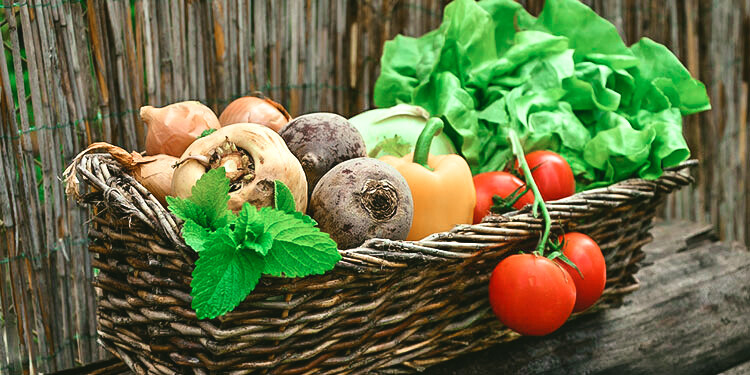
(552, 175)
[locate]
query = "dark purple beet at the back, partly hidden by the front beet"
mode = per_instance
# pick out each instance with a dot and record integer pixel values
(321, 141)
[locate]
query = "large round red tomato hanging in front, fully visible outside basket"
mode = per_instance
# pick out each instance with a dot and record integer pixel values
(531, 295)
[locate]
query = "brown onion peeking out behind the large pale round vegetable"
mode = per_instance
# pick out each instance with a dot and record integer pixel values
(251, 109)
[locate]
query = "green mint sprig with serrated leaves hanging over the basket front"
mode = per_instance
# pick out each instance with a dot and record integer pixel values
(234, 250)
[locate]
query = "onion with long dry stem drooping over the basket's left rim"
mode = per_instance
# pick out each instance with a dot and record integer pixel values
(153, 172)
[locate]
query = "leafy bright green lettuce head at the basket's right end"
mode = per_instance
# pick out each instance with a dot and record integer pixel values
(564, 81)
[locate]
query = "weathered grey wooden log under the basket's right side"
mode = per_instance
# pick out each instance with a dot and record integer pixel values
(689, 317)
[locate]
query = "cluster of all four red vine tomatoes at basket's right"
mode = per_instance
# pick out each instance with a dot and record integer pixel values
(531, 294)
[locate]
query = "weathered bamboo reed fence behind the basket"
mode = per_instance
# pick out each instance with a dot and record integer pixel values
(88, 66)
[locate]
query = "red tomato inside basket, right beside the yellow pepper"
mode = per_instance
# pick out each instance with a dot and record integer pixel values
(503, 184)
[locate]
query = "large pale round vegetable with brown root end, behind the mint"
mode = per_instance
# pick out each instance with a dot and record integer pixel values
(253, 156)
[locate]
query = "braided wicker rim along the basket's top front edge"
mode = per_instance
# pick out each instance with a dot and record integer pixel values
(459, 243)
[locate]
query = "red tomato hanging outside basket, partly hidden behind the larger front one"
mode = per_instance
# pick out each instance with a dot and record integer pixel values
(587, 256)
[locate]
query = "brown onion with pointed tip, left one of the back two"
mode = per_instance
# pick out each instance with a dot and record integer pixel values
(171, 129)
